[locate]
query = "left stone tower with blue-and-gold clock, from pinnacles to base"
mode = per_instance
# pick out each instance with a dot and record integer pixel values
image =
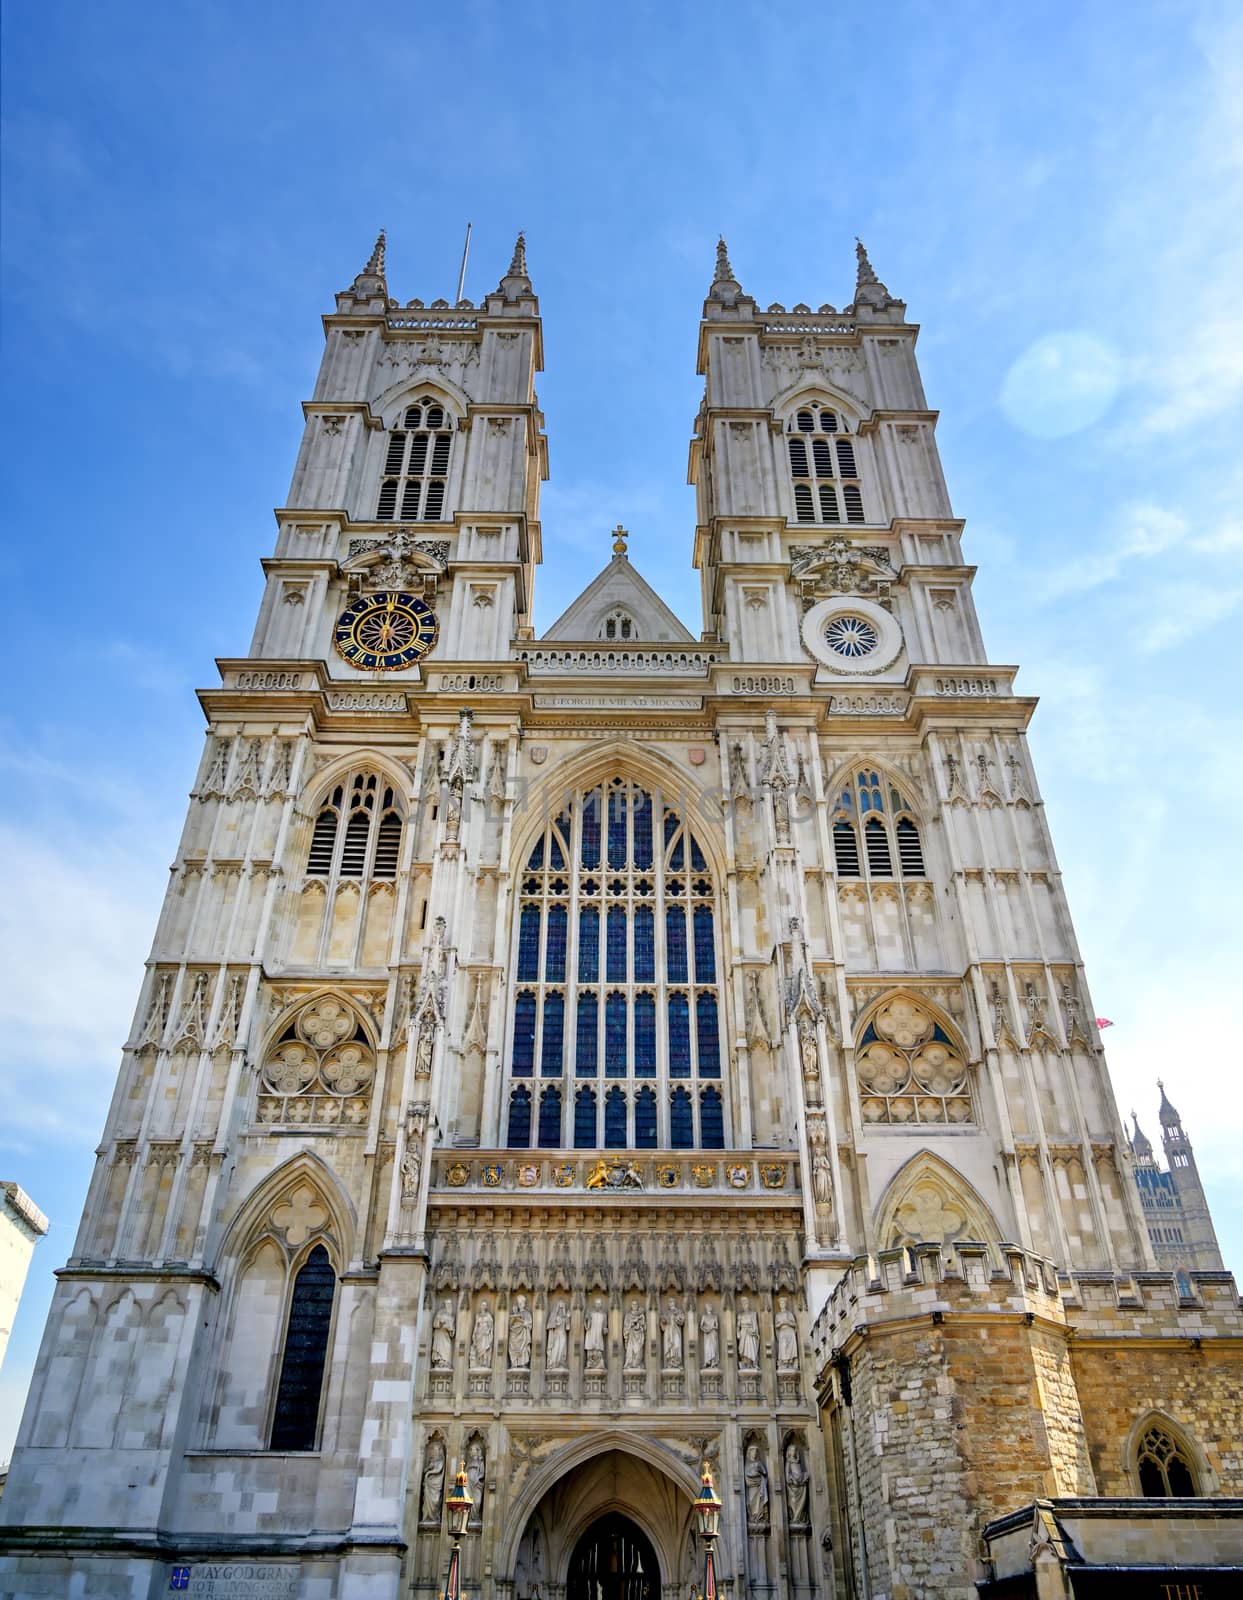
(236, 1330)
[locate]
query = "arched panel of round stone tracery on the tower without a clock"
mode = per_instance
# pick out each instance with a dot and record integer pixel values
(909, 1070)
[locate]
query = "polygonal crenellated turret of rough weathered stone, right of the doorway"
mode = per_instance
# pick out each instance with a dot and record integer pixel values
(962, 1406)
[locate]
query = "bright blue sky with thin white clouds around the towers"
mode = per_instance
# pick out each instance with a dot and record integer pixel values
(1057, 196)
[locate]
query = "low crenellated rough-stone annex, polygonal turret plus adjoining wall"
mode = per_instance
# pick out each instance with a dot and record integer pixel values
(956, 1391)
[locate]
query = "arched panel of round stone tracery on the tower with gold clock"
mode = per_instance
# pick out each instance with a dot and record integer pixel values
(319, 1071)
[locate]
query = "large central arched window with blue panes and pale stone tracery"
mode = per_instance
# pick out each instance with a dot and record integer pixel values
(617, 996)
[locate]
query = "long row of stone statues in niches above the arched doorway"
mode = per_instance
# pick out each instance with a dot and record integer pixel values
(673, 1318)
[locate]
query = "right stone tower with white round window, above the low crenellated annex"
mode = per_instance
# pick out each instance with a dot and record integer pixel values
(969, 1094)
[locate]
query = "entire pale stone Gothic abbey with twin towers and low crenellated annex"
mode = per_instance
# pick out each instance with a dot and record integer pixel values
(591, 1057)
